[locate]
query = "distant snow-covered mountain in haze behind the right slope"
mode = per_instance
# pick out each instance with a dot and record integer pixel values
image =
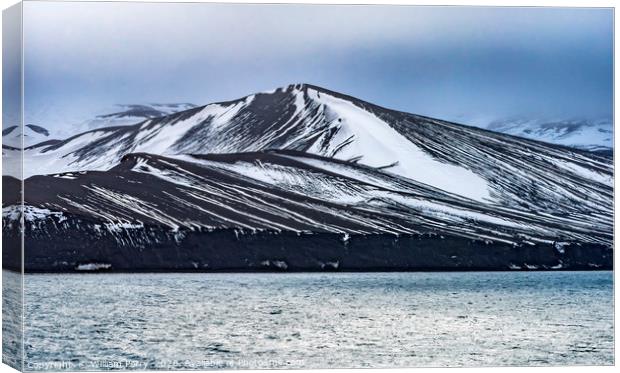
(594, 135)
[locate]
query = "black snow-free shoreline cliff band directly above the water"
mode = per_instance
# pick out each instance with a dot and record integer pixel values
(48, 249)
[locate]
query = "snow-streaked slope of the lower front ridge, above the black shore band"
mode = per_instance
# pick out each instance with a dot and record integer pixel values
(285, 191)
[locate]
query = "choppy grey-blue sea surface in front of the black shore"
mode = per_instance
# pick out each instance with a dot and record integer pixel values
(316, 320)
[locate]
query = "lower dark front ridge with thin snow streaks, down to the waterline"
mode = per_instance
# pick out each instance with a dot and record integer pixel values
(131, 220)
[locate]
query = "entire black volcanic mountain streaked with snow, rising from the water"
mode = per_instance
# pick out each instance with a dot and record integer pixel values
(302, 178)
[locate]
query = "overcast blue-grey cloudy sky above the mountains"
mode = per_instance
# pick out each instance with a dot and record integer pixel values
(447, 62)
